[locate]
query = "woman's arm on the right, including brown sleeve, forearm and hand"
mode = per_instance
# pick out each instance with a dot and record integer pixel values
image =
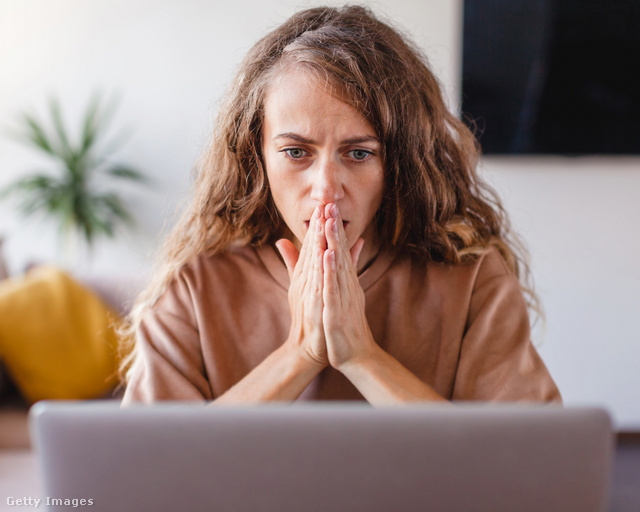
(497, 360)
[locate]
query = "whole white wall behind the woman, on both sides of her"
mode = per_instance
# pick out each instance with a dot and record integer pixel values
(170, 61)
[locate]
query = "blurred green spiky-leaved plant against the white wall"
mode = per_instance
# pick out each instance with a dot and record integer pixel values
(73, 194)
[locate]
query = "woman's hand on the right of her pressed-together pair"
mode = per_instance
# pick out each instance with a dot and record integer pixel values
(347, 332)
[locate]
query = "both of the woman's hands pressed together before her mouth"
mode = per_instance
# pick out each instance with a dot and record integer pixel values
(327, 304)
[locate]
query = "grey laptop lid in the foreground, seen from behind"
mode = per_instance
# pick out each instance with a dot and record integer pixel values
(327, 456)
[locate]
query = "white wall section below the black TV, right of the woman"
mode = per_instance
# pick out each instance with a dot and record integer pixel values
(579, 218)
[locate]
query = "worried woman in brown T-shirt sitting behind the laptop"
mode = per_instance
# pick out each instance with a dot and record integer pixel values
(339, 244)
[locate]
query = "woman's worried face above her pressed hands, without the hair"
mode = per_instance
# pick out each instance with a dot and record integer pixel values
(319, 150)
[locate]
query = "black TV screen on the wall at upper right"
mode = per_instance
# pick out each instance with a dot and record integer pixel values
(552, 76)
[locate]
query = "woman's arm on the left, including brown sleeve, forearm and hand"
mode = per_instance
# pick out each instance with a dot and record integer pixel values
(169, 362)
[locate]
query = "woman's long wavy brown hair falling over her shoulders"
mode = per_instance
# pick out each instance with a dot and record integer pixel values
(434, 204)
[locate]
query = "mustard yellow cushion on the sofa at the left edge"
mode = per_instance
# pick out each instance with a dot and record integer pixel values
(57, 338)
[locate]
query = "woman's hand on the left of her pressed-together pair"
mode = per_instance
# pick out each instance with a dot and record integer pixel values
(305, 290)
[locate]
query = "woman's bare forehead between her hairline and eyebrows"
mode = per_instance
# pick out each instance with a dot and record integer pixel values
(297, 99)
